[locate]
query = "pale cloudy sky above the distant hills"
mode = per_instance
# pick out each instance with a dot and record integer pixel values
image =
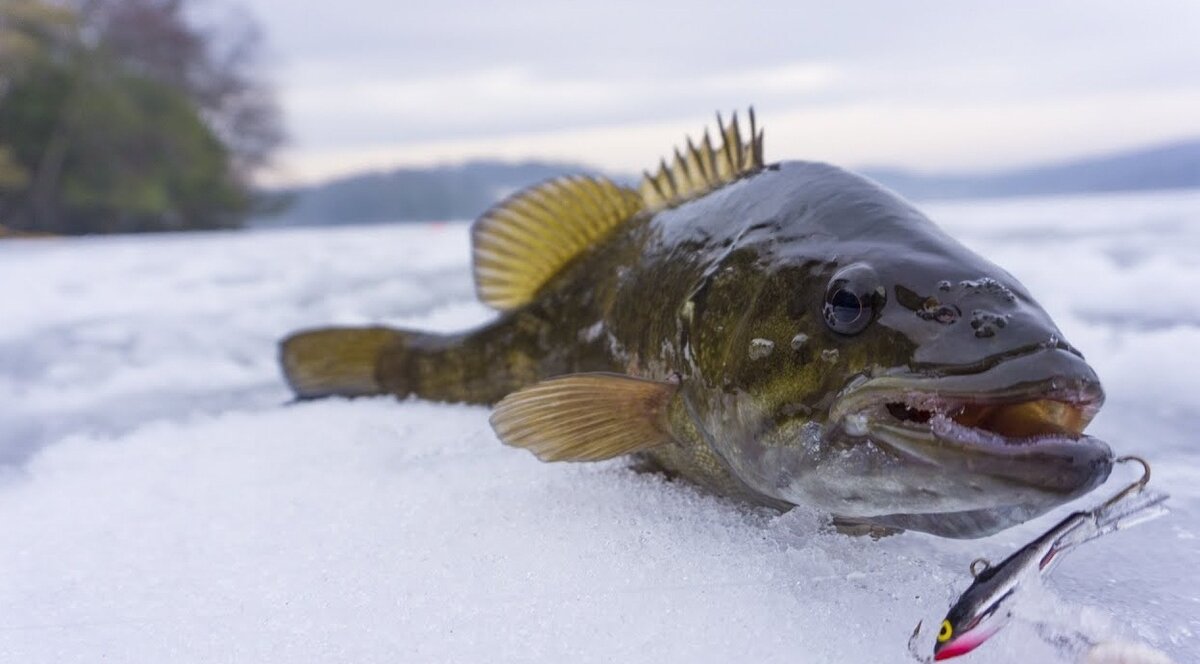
(941, 86)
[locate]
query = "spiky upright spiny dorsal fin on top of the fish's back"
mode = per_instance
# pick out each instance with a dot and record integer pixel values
(701, 169)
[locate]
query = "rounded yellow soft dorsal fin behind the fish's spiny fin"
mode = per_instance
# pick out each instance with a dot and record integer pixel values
(524, 241)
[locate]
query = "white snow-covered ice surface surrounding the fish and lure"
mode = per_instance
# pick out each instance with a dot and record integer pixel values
(160, 500)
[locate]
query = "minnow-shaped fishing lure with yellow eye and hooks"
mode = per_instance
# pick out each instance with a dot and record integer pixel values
(987, 606)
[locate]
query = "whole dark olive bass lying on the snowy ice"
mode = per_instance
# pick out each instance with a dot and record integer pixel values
(785, 334)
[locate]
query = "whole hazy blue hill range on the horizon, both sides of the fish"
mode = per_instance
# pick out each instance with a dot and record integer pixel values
(465, 192)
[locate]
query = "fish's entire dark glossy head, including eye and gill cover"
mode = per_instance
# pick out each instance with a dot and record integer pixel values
(910, 384)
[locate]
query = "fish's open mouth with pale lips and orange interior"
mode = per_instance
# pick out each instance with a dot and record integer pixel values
(1019, 424)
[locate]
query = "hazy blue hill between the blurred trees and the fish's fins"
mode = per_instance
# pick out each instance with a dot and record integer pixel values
(410, 194)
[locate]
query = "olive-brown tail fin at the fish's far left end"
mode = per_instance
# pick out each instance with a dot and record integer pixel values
(335, 361)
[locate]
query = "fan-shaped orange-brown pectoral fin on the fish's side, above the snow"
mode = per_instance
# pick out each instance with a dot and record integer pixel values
(586, 417)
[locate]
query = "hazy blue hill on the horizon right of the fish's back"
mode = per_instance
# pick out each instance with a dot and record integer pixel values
(1174, 166)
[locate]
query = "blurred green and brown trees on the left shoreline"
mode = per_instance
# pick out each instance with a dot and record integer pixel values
(123, 116)
